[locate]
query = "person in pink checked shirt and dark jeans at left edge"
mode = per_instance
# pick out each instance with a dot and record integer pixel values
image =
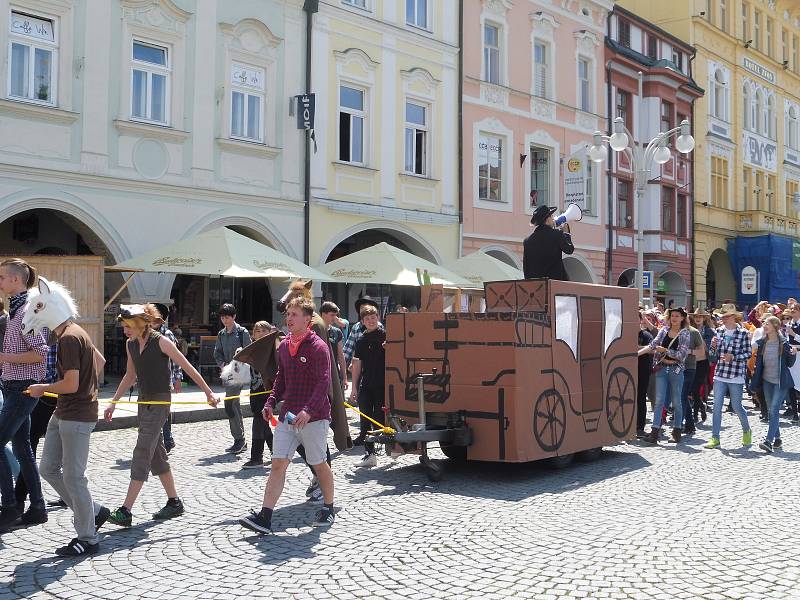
(23, 360)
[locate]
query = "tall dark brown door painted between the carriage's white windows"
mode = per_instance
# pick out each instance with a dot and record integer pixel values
(590, 355)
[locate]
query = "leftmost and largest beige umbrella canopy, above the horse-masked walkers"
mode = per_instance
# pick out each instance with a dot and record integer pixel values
(222, 252)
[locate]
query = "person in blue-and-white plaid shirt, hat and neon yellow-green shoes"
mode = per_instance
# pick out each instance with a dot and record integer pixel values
(731, 348)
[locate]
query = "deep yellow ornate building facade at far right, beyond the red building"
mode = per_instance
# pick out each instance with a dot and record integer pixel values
(747, 156)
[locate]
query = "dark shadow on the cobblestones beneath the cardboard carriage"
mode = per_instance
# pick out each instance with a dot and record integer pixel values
(503, 481)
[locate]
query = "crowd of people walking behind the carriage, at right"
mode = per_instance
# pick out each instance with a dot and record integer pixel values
(685, 358)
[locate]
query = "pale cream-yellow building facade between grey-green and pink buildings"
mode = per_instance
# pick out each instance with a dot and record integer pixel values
(385, 75)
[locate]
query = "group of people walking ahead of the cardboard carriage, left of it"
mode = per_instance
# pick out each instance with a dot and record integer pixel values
(50, 371)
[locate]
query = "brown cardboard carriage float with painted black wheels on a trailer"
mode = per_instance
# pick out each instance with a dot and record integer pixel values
(548, 371)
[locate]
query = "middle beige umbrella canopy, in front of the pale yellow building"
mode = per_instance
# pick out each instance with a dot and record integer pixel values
(383, 264)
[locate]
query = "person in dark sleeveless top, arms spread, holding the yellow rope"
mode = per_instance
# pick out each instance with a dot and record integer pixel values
(149, 355)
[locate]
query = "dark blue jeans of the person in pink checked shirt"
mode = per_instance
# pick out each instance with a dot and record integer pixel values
(15, 426)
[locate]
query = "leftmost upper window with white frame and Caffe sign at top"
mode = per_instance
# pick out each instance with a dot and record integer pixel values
(32, 58)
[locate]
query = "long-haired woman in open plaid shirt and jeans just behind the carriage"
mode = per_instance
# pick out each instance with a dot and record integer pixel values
(670, 347)
